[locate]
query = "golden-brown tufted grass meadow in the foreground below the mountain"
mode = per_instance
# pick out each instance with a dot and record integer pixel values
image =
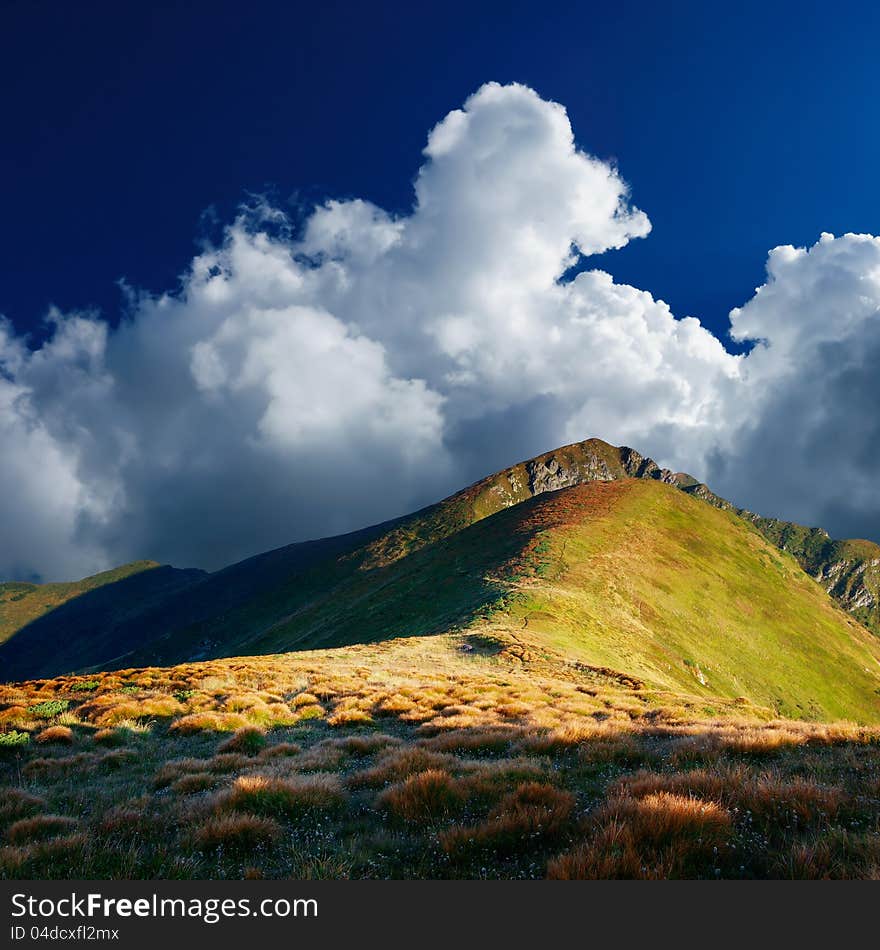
(485, 763)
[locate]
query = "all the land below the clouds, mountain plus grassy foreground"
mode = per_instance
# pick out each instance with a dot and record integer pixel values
(584, 666)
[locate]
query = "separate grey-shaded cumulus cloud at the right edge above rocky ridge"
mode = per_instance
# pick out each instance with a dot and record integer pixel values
(809, 447)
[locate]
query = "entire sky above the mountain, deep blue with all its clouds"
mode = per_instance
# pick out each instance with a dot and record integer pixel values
(387, 323)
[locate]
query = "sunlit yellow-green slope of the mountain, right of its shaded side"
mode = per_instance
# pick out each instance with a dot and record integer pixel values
(654, 583)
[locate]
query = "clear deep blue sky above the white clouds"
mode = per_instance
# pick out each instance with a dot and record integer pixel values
(124, 123)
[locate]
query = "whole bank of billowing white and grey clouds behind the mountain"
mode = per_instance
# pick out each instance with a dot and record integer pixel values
(310, 377)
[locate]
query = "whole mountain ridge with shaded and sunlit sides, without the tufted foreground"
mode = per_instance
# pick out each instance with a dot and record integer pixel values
(590, 553)
